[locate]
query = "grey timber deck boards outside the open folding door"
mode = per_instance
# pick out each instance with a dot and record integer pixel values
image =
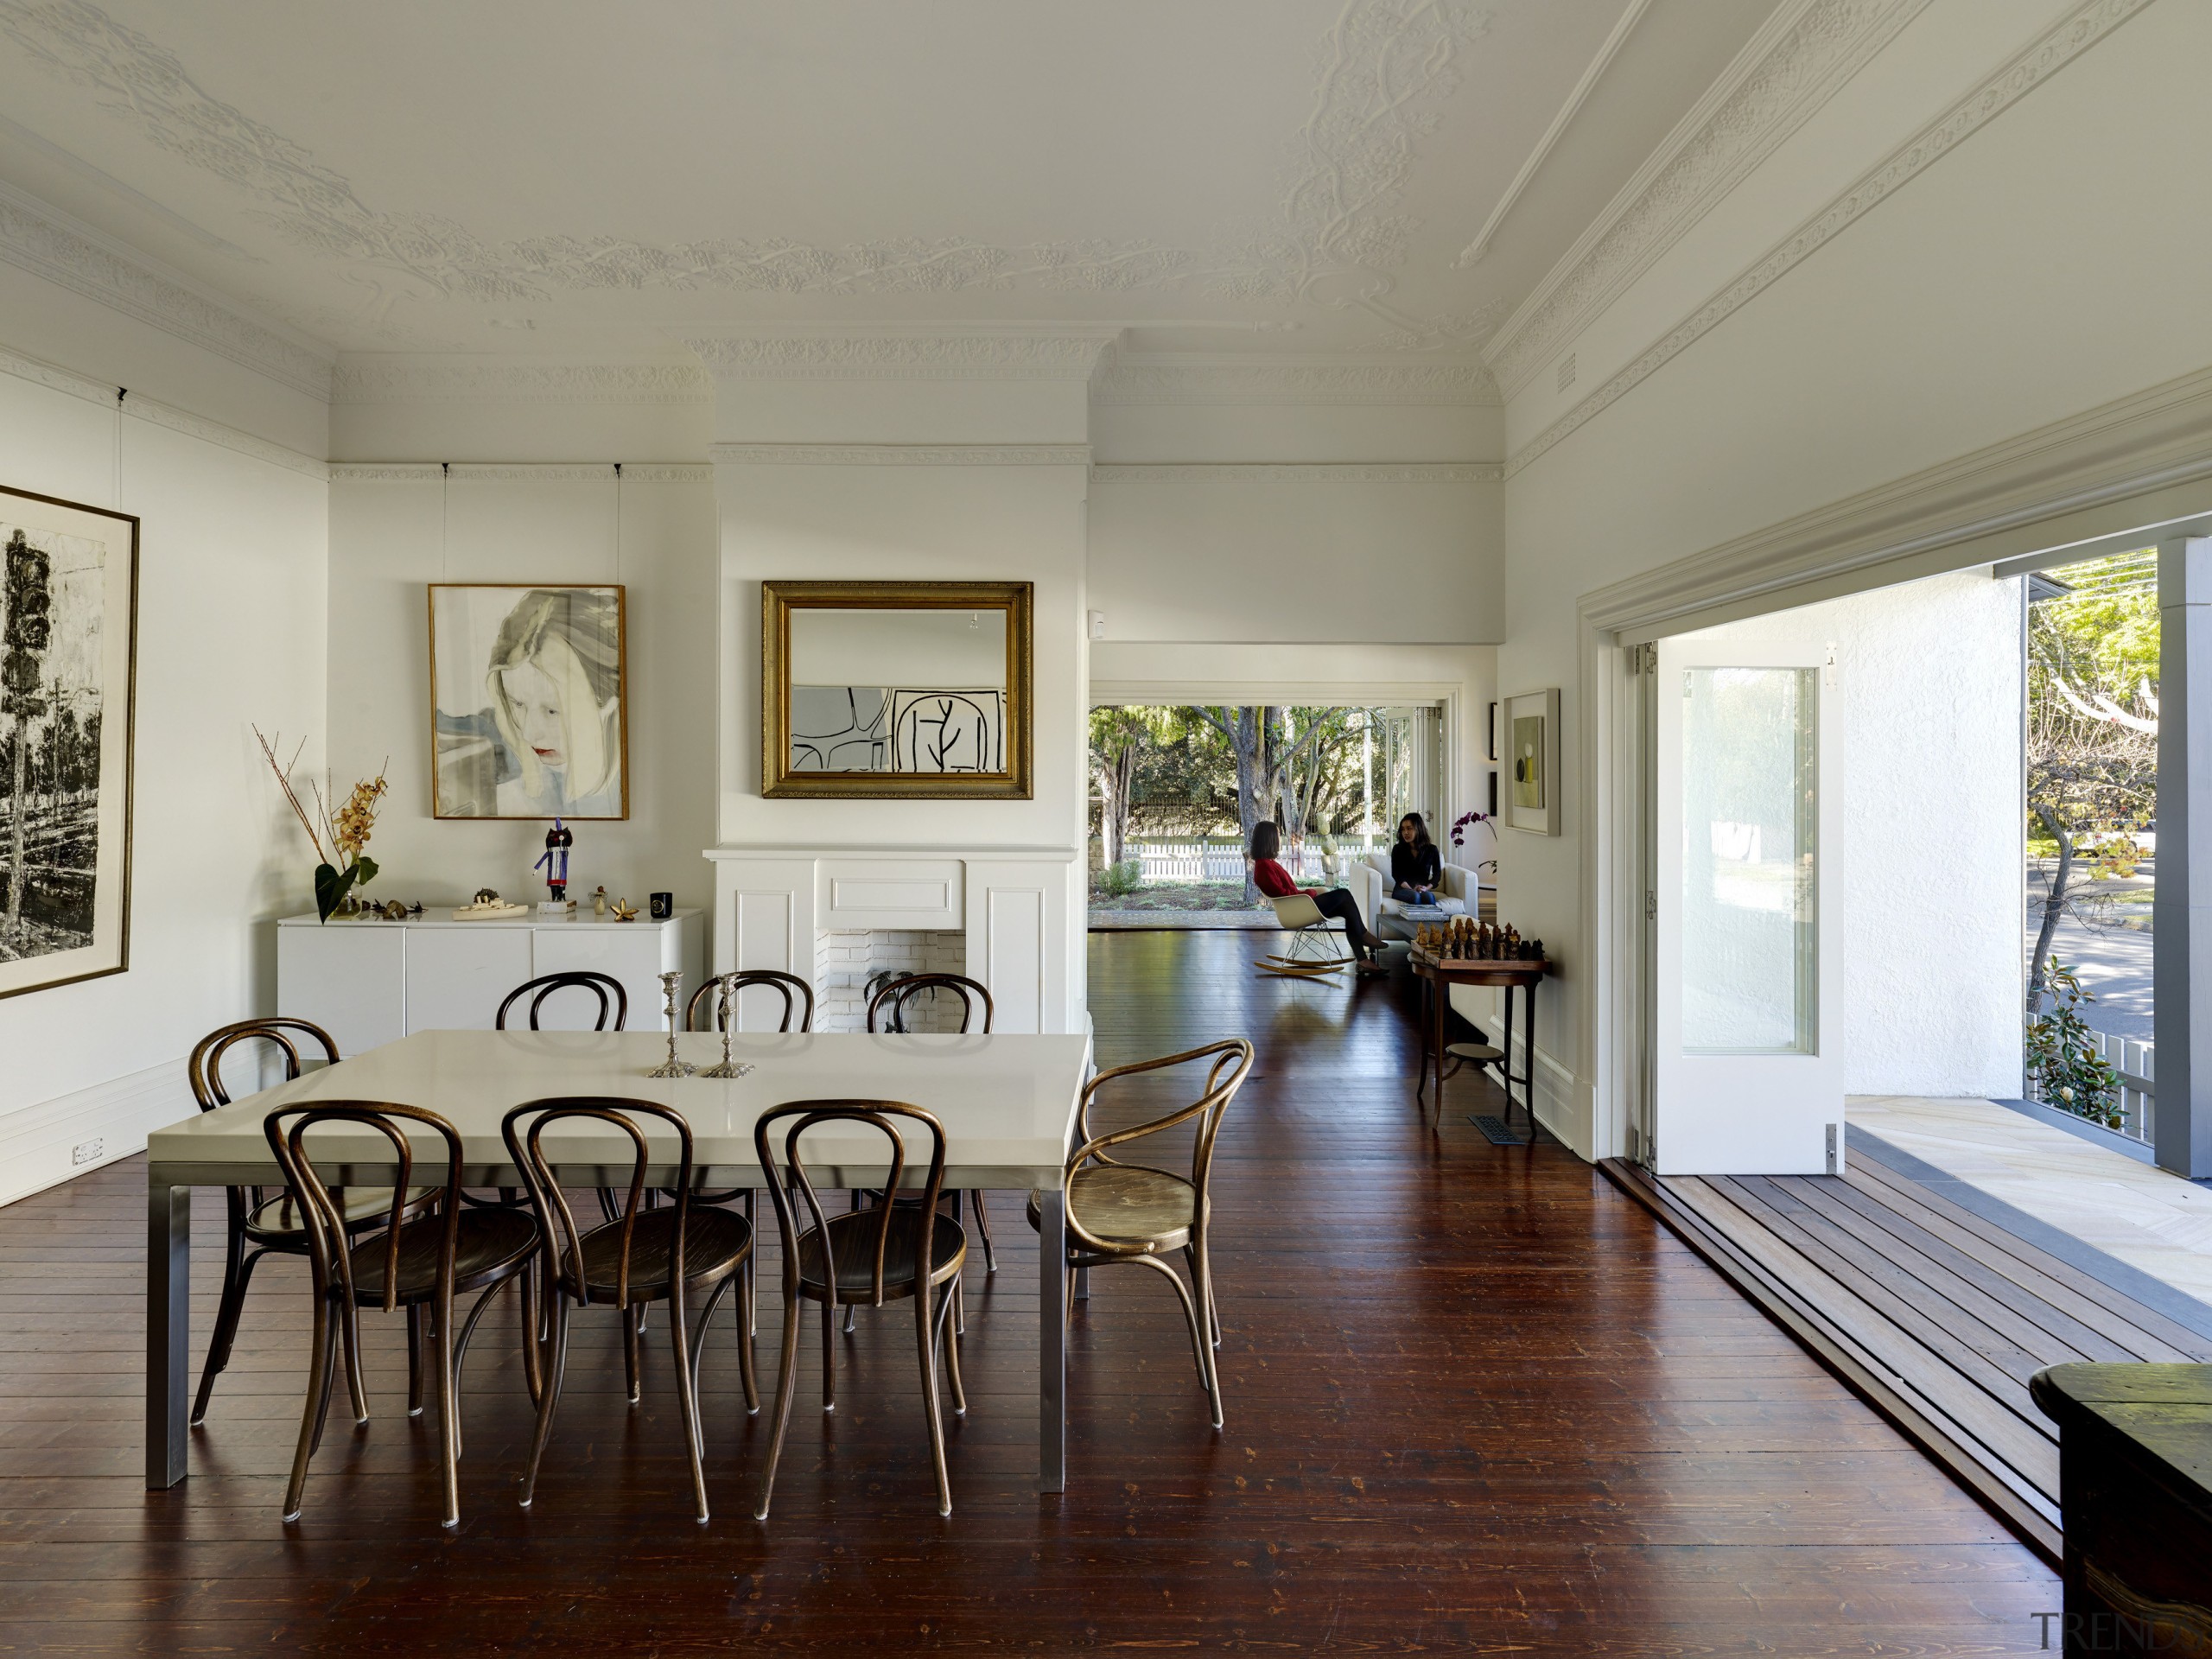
(1930, 1313)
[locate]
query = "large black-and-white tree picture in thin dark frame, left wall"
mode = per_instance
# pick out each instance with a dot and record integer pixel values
(67, 707)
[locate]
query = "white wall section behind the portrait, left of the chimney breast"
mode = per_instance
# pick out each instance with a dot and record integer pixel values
(399, 528)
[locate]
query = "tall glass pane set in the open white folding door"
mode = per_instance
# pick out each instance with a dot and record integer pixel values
(1749, 937)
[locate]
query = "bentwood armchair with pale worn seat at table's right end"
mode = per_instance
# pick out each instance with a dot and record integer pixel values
(1136, 1213)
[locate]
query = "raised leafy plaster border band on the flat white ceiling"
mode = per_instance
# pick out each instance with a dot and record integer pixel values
(1386, 72)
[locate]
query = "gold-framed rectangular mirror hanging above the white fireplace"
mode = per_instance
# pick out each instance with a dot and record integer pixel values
(897, 691)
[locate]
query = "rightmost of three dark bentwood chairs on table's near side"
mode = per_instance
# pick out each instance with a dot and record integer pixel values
(886, 1253)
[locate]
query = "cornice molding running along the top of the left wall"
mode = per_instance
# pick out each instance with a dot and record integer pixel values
(50, 244)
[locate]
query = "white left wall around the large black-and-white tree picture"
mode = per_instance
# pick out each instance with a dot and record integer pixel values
(231, 634)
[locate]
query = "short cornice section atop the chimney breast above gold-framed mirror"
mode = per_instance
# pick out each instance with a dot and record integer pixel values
(904, 355)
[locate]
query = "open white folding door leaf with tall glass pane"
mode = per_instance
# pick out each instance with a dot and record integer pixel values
(1749, 1056)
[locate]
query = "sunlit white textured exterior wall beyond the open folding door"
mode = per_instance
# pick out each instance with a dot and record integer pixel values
(1930, 886)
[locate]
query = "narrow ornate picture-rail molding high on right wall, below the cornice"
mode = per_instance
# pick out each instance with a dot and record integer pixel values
(2023, 74)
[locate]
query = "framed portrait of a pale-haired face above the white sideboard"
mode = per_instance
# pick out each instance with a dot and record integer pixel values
(530, 702)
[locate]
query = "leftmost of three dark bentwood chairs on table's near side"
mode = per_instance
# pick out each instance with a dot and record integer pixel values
(419, 1264)
